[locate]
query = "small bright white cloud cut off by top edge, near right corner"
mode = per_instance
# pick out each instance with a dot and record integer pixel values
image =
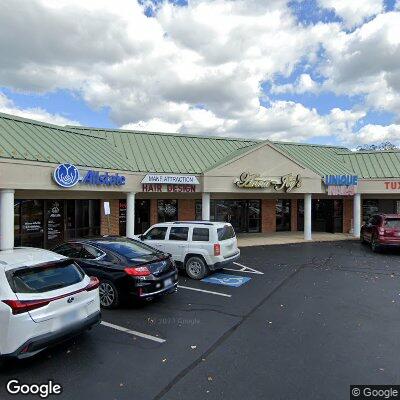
(353, 12)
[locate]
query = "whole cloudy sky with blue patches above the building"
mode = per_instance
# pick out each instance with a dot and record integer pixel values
(319, 71)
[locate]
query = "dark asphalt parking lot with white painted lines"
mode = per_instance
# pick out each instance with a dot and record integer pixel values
(313, 319)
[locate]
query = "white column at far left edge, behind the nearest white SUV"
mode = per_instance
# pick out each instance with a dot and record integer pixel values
(6, 219)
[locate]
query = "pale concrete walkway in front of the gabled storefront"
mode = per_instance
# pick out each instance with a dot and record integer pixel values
(265, 239)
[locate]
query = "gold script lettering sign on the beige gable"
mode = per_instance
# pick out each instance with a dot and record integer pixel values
(256, 181)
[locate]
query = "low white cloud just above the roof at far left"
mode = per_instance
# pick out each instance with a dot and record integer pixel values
(36, 113)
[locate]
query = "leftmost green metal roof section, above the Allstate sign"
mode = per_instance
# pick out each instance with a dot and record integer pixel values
(24, 139)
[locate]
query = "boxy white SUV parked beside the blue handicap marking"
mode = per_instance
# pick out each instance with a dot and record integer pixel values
(198, 246)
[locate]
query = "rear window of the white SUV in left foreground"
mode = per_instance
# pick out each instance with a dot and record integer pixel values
(45, 278)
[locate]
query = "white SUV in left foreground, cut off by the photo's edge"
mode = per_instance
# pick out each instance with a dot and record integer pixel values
(44, 299)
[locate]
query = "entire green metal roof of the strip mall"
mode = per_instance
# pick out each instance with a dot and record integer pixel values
(139, 151)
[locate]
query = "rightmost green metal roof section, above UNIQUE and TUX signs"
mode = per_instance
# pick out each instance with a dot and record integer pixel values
(382, 164)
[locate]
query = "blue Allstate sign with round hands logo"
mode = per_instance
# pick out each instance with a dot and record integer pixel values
(67, 175)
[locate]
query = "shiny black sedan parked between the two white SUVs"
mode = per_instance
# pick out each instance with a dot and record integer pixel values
(126, 268)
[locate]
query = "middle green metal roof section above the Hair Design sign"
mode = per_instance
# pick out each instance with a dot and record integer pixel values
(169, 152)
